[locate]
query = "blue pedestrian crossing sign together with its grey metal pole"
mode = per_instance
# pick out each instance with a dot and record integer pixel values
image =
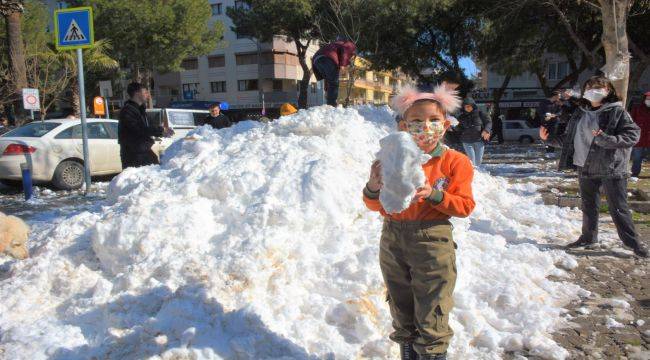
(73, 30)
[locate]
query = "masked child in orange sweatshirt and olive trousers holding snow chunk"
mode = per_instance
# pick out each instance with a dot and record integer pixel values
(417, 251)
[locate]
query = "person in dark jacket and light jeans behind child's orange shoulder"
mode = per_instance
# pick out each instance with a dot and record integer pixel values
(475, 128)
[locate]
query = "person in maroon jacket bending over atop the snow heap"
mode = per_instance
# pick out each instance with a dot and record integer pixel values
(328, 62)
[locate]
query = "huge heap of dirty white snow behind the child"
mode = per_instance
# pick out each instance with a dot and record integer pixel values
(253, 243)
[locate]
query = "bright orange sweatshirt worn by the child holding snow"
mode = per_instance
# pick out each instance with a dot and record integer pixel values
(450, 175)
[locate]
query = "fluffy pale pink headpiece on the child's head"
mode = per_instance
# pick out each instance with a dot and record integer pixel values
(448, 100)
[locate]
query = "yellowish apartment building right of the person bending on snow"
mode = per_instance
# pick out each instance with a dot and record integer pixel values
(371, 87)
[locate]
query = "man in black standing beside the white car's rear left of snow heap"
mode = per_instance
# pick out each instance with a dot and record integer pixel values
(135, 134)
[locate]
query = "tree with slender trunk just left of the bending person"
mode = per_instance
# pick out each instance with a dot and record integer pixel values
(294, 19)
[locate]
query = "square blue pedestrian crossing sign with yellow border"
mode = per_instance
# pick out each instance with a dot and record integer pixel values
(73, 28)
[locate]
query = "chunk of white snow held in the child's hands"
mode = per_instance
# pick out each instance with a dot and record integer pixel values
(401, 171)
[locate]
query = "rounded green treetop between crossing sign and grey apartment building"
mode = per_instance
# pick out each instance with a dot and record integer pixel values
(156, 35)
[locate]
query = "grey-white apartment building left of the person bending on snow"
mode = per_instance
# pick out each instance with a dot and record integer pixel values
(241, 72)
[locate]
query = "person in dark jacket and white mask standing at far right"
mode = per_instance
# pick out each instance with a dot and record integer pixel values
(598, 141)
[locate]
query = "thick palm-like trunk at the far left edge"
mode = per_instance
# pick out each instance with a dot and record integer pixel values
(12, 11)
